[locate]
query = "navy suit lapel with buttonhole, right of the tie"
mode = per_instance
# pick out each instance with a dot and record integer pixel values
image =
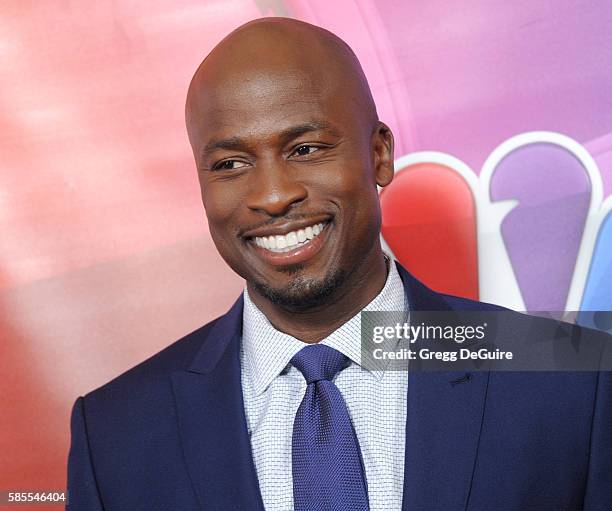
(444, 418)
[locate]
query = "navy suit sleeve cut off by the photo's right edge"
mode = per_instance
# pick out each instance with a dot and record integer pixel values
(598, 495)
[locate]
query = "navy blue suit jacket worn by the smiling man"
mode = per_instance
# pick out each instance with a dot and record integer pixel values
(170, 434)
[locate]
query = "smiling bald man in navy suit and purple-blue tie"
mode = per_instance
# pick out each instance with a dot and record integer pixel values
(267, 407)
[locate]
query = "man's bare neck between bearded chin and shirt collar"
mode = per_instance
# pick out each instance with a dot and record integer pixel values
(315, 324)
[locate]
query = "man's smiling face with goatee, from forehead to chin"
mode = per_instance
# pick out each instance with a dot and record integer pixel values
(288, 169)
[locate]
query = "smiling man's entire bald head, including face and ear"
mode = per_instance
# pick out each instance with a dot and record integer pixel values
(290, 153)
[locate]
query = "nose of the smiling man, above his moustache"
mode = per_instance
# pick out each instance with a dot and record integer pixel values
(274, 189)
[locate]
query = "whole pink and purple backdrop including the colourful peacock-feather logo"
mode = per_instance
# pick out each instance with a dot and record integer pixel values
(502, 114)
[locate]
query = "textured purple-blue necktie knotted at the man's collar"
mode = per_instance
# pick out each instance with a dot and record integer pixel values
(328, 472)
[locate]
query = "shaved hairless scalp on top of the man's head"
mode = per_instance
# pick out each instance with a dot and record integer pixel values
(282, 51)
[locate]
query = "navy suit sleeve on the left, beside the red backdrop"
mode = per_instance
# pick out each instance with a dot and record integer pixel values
(83, 492)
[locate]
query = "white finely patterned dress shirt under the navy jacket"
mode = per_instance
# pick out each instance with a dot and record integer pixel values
(273, 390)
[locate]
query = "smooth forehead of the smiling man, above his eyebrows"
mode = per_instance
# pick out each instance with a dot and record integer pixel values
(264, 102)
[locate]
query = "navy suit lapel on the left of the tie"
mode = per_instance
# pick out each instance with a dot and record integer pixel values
(212, 422)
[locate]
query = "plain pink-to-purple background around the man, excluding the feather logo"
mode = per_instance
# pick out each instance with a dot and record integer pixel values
(105, 256)
